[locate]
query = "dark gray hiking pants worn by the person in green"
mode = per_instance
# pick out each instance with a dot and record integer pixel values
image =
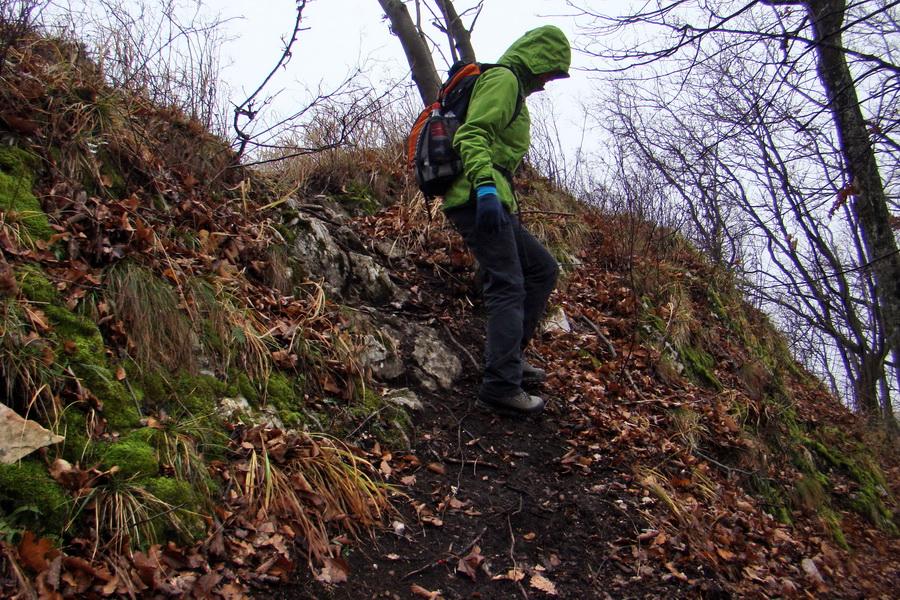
(519, 276)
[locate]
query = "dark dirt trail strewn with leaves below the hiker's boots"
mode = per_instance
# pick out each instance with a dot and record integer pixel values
(496, 511)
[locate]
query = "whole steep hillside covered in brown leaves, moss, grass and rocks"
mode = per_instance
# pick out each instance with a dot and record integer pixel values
(250, 372)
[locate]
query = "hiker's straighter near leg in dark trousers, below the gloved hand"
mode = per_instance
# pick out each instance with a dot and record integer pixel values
(504, 299)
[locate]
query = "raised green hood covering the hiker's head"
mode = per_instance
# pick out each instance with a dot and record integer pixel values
(542, 50)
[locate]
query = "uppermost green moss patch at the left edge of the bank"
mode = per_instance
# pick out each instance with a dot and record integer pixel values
(17, 202)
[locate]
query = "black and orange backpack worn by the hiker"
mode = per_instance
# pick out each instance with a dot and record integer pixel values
(435, 163)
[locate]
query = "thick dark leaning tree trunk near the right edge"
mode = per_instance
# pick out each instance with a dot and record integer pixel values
(869, 203)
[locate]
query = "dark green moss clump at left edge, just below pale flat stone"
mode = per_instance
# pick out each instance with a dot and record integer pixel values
(42, 504)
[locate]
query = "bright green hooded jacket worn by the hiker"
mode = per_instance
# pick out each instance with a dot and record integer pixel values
(488, 139)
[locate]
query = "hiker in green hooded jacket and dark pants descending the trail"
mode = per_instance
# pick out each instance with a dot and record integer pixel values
(519, 272)
